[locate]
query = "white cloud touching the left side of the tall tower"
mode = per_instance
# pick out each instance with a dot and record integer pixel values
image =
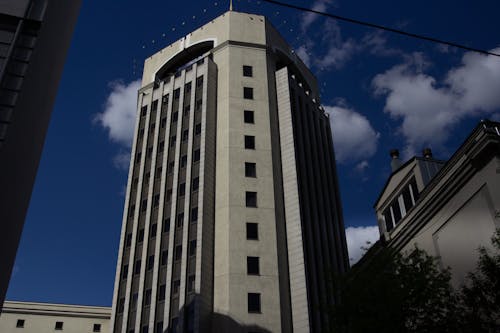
(119, 114)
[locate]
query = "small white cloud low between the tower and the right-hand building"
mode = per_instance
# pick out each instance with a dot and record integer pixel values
(359, 239)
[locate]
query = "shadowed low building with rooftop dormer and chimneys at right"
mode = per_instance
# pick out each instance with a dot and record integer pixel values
(449, 209)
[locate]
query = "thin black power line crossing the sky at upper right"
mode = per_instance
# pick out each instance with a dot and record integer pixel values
(381, 27)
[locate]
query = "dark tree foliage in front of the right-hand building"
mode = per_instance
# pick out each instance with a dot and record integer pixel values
(393, 292)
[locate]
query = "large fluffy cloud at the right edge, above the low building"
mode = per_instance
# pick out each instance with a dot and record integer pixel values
(429, 109)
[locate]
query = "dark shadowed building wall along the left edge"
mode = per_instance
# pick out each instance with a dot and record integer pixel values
(34, 38)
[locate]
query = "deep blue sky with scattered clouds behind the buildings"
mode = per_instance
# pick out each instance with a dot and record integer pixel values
(382, 91)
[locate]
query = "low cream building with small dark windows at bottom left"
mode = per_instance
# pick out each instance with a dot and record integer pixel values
(30, 317)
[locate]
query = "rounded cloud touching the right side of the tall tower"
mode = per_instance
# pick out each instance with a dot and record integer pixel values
(353, 136)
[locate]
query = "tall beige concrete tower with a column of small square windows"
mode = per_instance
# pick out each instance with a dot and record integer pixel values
(232, 218)
